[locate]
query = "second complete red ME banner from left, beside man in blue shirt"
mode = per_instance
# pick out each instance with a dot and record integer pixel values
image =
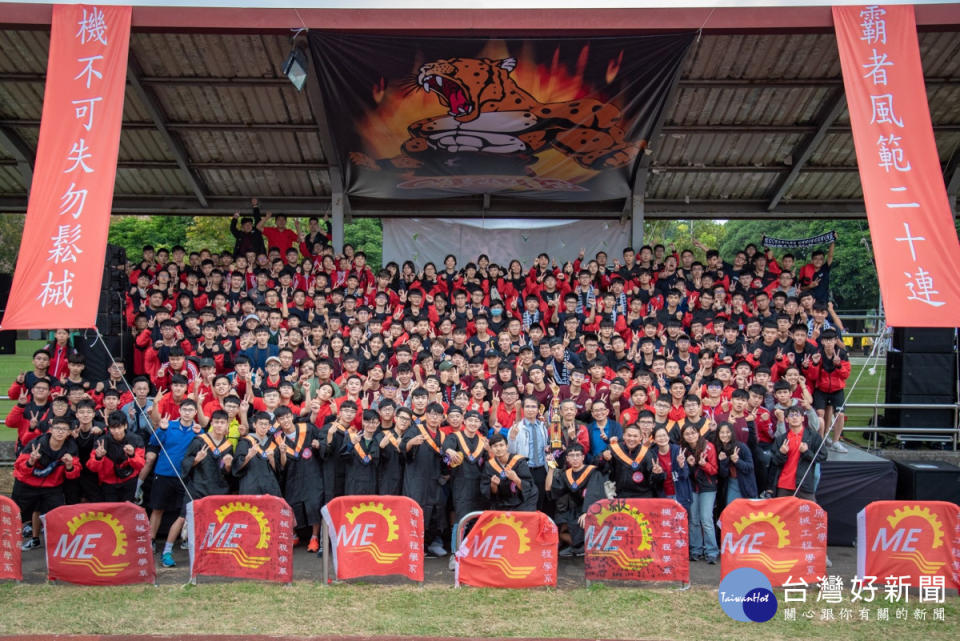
(246, 537)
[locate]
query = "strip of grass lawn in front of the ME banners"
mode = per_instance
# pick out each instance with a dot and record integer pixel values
(357, 609)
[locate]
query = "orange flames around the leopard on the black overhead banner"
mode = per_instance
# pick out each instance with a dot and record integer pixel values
(383, 129)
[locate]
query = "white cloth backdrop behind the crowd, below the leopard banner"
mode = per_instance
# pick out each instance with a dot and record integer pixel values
(424, 240)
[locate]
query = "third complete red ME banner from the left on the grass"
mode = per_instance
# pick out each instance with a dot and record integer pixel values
(375, 536)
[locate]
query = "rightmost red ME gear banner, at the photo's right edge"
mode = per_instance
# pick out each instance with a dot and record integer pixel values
(917, 540)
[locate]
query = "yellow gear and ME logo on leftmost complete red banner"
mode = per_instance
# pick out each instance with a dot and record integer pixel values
(86, 528)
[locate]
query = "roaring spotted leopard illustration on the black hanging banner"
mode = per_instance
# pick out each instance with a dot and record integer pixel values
(492, 123)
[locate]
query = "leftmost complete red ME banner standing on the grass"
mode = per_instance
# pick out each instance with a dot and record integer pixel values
(99, 544)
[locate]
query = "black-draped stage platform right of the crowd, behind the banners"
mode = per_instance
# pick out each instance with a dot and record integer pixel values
(848, 482)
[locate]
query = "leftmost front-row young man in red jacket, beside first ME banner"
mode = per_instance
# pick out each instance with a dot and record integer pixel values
(40, 471)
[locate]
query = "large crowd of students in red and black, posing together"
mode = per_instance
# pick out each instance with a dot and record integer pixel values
(286, 369)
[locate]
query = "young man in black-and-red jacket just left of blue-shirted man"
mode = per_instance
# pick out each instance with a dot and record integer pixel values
(117, 459)
